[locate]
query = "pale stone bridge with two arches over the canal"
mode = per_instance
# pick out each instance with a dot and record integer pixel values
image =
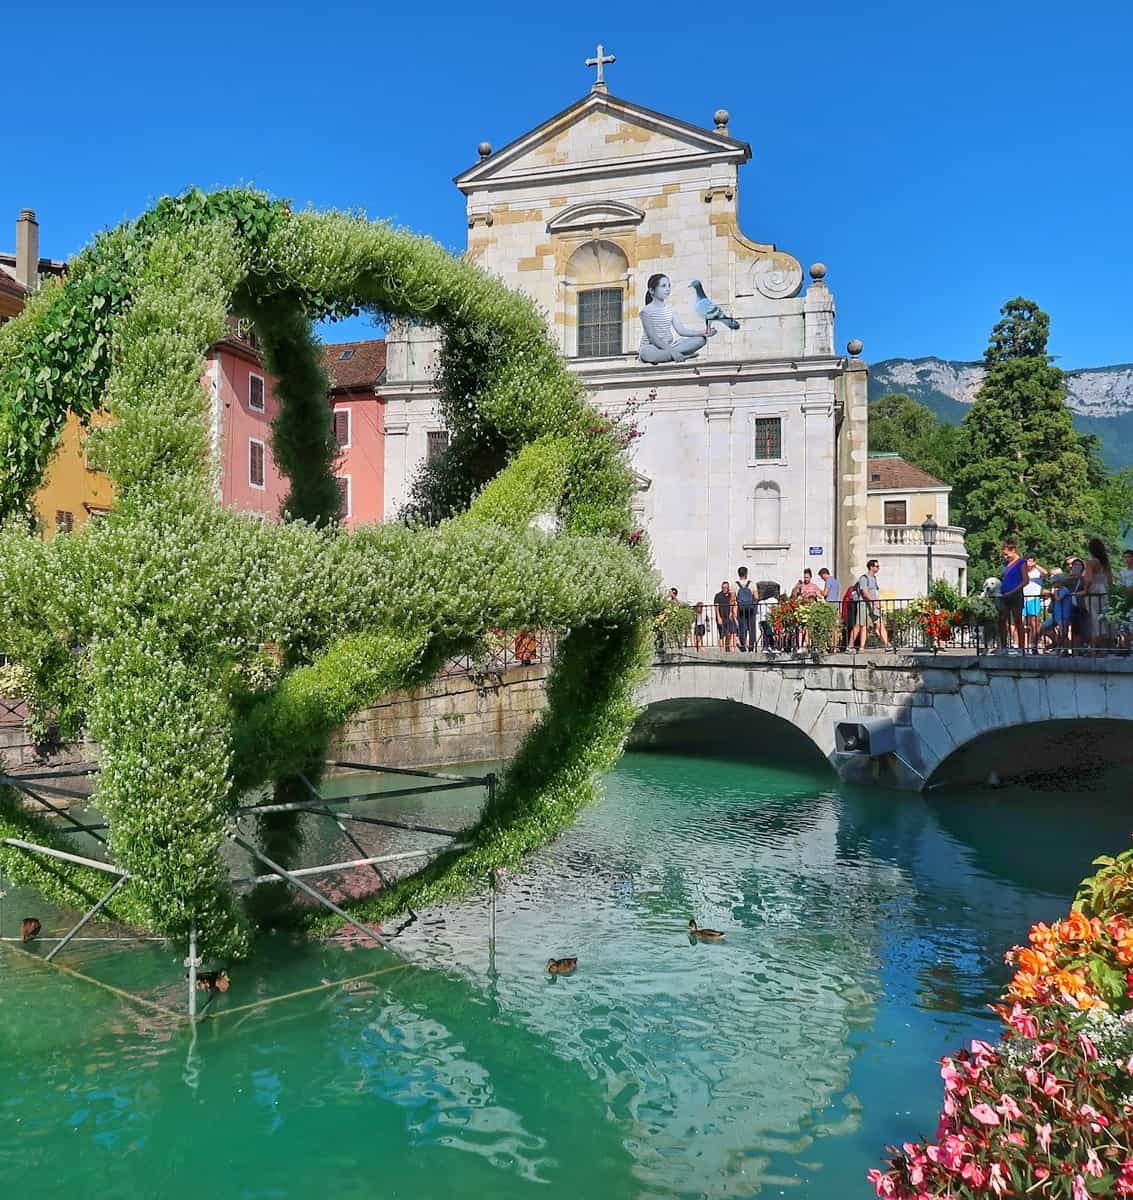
(956, 717)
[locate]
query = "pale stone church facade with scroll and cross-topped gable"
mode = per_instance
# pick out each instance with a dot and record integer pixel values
(753, 451)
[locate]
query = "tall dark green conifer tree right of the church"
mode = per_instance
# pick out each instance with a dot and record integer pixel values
(1022, 469)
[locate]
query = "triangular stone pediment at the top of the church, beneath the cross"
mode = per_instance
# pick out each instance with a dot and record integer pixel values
(598, 136)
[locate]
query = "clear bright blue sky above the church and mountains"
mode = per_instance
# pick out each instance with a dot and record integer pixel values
(939, 159)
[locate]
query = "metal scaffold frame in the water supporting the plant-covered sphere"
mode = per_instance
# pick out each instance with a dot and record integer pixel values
(33, 787)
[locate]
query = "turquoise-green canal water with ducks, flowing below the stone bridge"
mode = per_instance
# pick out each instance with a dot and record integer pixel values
(865, 939)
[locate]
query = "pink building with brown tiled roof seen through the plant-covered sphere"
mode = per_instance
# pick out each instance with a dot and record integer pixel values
(244, 407)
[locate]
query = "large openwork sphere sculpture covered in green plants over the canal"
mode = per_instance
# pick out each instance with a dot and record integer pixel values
(145, 628)
